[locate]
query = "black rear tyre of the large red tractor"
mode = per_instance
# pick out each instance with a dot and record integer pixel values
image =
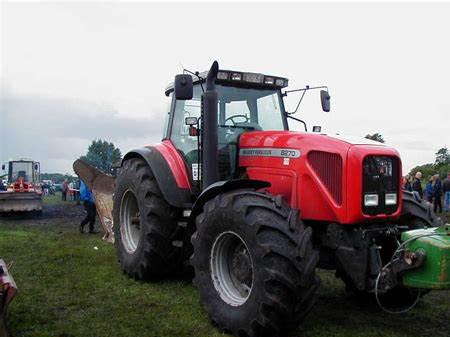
(155, 255)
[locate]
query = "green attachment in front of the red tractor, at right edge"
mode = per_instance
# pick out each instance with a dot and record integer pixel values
(435, 273)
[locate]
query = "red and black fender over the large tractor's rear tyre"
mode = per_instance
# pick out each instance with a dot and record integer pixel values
(169, 170)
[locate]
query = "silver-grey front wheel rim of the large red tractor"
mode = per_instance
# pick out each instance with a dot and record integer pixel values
(232, 268)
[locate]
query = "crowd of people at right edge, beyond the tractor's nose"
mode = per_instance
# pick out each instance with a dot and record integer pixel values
(435, 190)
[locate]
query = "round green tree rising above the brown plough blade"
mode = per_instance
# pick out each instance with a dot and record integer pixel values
(102, 155)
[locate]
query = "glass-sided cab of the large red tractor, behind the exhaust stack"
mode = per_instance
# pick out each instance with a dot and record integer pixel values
(246, 102)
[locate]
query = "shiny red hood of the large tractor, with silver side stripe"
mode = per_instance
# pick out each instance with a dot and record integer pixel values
(319, 174)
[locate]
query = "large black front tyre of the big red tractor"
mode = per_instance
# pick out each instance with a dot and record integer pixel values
(283, 285)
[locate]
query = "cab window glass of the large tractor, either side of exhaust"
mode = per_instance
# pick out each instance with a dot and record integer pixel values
(240, 110)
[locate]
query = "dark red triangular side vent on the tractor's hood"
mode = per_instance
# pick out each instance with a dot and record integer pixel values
(328, 167)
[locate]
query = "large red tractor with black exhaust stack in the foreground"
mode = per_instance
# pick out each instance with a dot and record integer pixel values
(255, 208)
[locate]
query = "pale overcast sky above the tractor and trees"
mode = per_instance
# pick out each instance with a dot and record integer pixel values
(73, 72)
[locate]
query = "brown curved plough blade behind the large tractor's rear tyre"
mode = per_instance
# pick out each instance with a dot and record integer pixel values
(102, 186)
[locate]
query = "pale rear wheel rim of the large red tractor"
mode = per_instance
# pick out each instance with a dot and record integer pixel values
(130, 226)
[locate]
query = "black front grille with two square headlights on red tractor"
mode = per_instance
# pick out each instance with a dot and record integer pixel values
(380, 177)
